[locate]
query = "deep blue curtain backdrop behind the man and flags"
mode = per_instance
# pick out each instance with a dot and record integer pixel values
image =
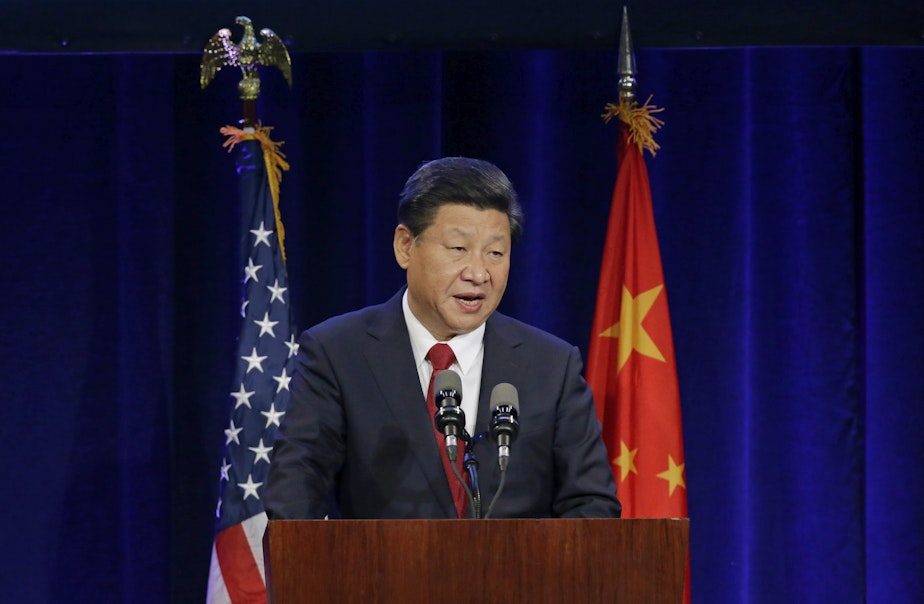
(789, 200)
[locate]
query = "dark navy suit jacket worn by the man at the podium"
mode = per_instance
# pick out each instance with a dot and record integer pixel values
(357, 440)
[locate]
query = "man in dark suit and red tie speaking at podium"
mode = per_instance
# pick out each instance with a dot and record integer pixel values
(358, 440)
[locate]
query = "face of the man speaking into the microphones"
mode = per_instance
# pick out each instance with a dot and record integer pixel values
(456, 269)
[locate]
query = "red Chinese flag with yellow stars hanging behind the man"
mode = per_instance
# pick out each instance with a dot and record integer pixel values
(631, 366)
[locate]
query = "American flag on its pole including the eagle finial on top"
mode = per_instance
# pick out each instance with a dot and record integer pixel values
(266, 340)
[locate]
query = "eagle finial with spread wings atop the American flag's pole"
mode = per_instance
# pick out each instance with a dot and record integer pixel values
(221, 51)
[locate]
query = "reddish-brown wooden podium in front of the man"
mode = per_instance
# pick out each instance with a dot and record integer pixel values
(505, 561)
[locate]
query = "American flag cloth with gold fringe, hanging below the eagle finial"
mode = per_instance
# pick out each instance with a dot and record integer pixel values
(260, 390)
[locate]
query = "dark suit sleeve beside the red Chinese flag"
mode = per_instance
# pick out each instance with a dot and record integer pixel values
(585, 487)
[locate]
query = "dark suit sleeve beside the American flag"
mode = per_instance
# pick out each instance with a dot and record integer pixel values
(310, 445)
